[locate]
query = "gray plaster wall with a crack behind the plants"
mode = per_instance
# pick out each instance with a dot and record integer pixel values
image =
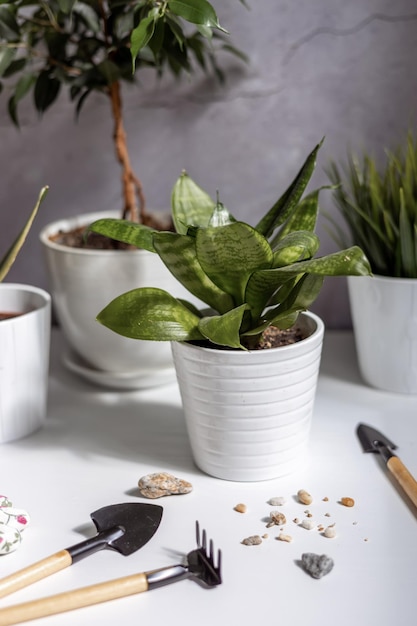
(344, 69)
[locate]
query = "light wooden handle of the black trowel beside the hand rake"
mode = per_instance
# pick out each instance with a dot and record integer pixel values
(37, 571)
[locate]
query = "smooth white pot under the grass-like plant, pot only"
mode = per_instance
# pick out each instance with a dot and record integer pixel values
(384, 317)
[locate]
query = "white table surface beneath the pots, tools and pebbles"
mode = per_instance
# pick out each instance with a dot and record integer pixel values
(96, 445)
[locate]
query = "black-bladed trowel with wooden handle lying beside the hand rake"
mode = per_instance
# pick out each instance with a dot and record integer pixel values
(123, 527)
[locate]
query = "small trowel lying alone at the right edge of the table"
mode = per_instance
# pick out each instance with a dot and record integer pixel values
(374, 441)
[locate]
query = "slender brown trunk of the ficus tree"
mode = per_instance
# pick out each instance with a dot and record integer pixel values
(132, 186)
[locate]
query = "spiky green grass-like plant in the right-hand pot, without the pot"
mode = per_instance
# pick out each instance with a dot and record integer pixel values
(380, 208)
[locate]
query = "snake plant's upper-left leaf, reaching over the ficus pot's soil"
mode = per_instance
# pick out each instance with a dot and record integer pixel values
(128, 232)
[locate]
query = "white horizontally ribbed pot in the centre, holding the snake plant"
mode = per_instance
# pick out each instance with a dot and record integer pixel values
(248, 414)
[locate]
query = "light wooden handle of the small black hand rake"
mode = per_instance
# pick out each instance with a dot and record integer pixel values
(85, 596)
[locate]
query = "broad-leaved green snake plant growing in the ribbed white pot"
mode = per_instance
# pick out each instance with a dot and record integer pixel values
(251, 277)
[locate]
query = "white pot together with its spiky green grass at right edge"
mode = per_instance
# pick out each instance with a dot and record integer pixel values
(379, 206)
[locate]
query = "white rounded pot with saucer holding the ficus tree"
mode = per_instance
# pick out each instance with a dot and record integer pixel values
(82, 283)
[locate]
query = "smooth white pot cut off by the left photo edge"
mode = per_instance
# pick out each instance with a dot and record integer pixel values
(24, 360)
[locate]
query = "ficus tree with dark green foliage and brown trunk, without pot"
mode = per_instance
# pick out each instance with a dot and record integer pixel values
(96, 46)
